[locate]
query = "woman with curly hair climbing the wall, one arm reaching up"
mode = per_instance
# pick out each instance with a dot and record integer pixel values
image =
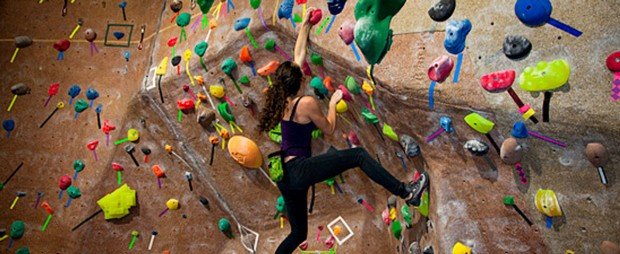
(299, 116)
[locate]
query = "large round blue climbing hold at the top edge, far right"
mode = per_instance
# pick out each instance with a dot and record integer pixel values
(533, 13)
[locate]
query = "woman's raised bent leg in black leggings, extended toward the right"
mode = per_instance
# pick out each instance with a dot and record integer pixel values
(319, 168)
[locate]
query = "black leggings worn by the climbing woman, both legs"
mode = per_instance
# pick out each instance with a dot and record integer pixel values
(301, 173)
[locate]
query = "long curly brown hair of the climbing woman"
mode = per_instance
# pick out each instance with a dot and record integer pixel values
(288, 78)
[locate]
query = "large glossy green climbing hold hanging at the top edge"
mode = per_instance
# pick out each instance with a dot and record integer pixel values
(372, 31)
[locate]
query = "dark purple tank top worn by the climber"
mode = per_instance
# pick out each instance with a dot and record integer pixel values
(296, 137)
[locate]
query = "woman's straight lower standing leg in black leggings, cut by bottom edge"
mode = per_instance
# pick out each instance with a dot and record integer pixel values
(296, 207)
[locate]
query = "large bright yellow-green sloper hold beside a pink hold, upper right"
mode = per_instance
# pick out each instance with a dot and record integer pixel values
(545, 76)
